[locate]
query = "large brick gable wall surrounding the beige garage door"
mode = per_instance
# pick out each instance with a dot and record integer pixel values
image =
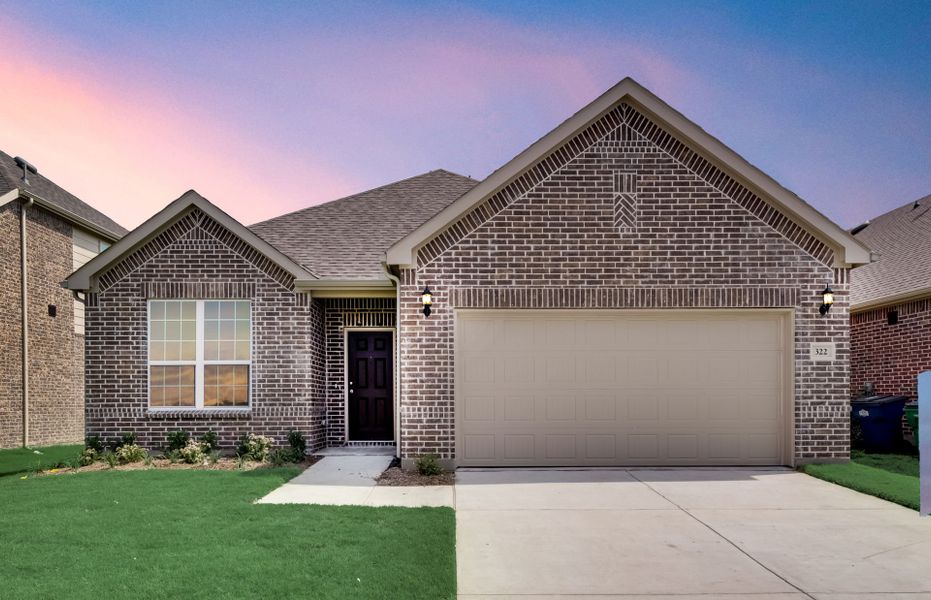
(687, 236)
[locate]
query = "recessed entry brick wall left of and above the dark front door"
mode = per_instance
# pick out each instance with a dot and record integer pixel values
(342, 314)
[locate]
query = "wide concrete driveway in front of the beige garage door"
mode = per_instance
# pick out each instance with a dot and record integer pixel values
(683, 533)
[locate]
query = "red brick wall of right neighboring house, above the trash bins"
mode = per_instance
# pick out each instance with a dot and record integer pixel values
(890, 356)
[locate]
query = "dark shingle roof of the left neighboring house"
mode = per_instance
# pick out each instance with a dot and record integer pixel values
(57, 200)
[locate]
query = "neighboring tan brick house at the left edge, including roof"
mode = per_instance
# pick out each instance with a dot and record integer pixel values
(46, 234)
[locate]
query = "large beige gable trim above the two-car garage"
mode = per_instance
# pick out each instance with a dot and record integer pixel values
(847, 249)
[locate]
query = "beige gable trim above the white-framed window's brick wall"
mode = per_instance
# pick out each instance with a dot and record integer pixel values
(85, 277)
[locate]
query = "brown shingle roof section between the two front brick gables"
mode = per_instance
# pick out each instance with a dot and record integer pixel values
(347, 238)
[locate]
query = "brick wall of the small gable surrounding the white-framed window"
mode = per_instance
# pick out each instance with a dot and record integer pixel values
(197, 258)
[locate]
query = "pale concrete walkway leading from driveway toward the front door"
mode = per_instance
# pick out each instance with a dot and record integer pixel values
(350, 480)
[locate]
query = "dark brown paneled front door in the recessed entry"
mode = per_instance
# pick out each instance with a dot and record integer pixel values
(371, 406)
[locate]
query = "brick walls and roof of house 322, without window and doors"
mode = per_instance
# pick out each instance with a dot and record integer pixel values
(621, 213)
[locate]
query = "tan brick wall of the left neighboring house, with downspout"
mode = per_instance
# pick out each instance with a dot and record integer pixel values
(56, 413)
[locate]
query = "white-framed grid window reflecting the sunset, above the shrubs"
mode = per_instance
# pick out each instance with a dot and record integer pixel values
(199, 353)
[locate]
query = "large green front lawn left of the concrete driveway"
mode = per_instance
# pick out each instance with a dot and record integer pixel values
(196, 534)
